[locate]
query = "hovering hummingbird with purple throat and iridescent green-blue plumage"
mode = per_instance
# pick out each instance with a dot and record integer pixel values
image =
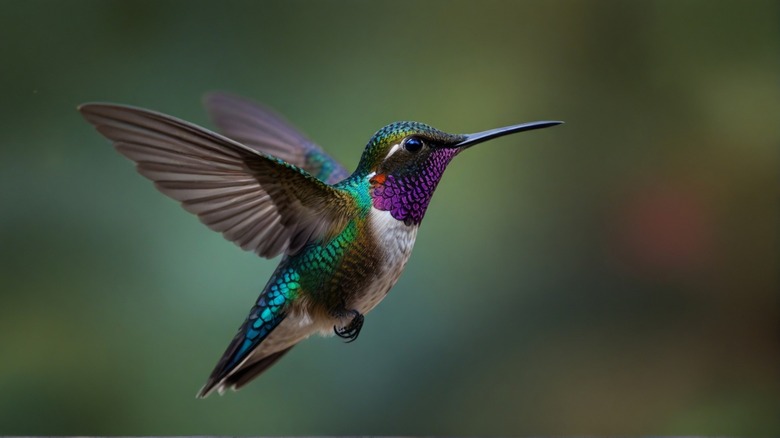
(344, 238)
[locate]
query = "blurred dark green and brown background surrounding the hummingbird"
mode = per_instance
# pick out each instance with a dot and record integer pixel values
(616, 275)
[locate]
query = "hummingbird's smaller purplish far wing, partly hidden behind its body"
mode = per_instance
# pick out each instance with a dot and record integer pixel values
(260, 128)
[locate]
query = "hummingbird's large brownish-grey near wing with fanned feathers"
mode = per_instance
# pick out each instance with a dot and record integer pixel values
(259, 202)
